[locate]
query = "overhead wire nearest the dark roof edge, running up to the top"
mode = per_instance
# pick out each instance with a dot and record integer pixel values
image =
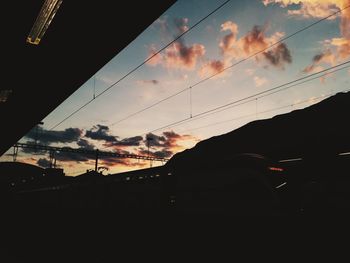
(143, 63)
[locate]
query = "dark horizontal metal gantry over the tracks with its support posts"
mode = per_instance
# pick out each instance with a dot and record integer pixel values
(53, 150)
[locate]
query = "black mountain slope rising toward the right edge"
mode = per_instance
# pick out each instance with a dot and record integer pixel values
(318, 130)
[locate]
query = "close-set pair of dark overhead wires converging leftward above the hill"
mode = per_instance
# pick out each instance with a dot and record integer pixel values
(257, 95)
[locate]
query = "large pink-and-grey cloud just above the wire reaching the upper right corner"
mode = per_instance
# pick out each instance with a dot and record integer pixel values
(252, 43)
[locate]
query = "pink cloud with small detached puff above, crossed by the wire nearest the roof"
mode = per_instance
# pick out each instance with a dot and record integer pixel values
(178, 55)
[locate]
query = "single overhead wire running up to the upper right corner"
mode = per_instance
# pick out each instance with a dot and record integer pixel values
(228, 67)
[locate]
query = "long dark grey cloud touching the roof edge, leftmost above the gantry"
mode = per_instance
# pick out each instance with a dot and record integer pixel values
(47, 137)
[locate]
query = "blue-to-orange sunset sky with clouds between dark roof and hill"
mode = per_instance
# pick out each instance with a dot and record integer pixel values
(240, 36)
